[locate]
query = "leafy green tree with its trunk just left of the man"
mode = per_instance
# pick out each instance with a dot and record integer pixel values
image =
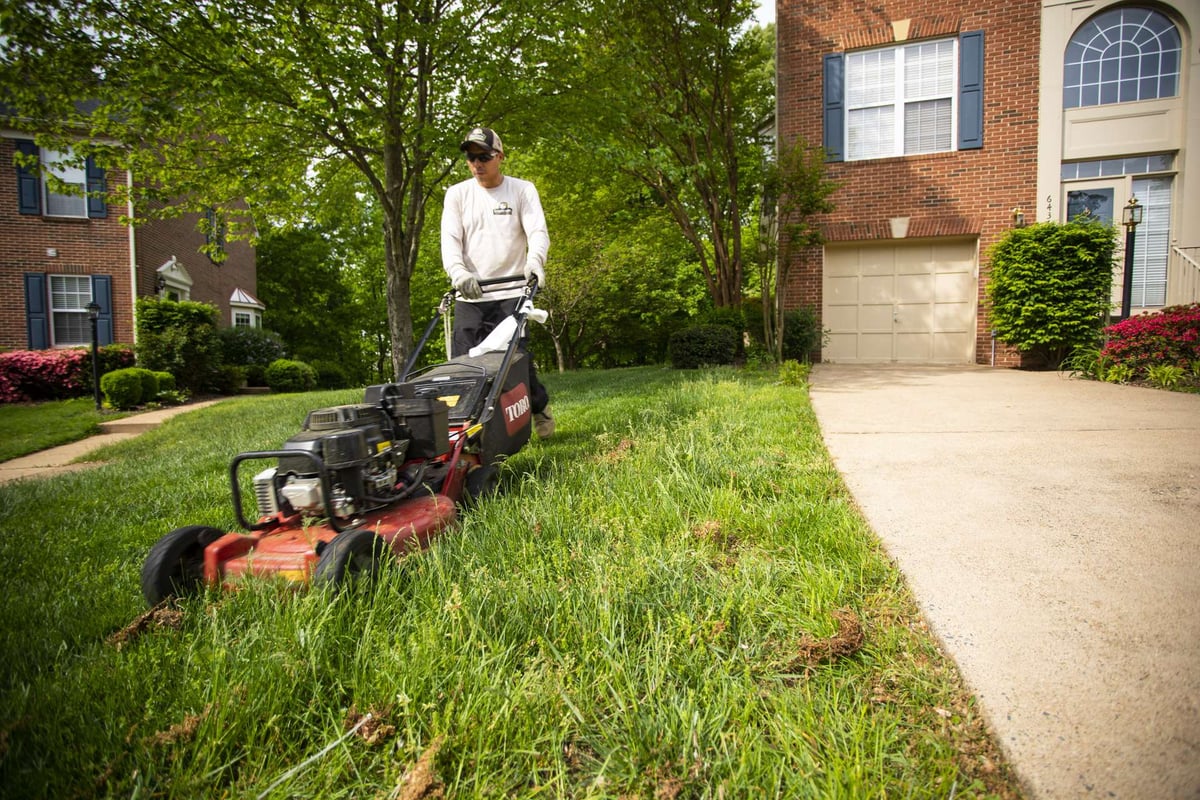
(219, 103)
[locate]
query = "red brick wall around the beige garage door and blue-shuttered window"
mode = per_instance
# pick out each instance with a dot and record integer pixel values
(969, 193)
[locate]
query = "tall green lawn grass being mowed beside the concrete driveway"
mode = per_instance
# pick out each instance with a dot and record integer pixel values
(635, 617)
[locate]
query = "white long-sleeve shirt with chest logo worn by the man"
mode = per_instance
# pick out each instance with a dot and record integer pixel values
(494, 233)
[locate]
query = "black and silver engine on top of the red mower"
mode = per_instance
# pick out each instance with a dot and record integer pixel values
(362, 455)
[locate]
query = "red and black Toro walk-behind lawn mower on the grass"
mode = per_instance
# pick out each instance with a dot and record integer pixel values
(363, 480)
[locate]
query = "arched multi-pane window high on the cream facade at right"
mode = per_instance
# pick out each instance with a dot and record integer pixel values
(1123, 56)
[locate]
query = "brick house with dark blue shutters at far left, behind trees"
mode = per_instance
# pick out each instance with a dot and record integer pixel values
(59, 252)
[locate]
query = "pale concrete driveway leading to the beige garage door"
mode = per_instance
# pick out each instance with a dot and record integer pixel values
(1051, 531)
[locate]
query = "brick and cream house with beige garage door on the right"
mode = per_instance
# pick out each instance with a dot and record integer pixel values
(949, 123)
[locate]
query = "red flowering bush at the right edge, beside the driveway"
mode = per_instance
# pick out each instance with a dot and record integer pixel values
(1171, 338)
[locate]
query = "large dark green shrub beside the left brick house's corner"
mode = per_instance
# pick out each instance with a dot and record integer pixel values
(181, 339)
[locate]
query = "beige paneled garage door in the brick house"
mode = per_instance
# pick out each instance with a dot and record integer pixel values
(908, 303)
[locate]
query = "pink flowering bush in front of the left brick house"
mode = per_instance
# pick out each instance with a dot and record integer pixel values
(32, 376)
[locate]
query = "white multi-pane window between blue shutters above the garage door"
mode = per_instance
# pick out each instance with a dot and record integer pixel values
(901, 100)
